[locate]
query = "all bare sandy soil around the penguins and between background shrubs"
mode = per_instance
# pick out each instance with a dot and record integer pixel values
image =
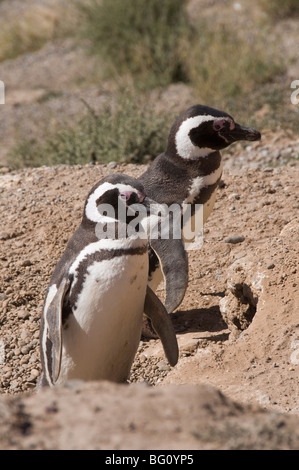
(236, 385)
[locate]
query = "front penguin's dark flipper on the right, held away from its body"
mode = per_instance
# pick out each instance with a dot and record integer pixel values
(162, 324)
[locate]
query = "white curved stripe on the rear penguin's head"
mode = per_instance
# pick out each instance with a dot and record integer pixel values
(184, 146)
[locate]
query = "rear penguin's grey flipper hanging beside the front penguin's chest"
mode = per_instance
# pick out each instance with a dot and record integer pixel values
(174, 264)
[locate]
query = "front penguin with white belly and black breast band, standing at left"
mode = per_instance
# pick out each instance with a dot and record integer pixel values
(92, 317)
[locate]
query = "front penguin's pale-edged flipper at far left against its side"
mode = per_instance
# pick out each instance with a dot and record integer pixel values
(53, 325)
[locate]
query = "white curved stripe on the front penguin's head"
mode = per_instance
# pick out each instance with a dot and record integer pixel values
(91, 210)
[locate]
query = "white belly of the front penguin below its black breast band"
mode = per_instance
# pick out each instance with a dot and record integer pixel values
(101, 337)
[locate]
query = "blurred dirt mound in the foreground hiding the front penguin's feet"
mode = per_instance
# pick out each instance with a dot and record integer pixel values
(137, 417)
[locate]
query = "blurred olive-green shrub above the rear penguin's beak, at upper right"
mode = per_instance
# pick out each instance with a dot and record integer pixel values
(229, 69)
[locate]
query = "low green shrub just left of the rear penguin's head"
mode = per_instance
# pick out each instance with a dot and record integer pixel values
(133, 132)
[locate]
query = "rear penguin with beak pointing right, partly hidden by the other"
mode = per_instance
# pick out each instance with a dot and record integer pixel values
(188, 172)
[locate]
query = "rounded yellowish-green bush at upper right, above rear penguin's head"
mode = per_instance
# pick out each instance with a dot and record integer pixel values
(225, 64)
